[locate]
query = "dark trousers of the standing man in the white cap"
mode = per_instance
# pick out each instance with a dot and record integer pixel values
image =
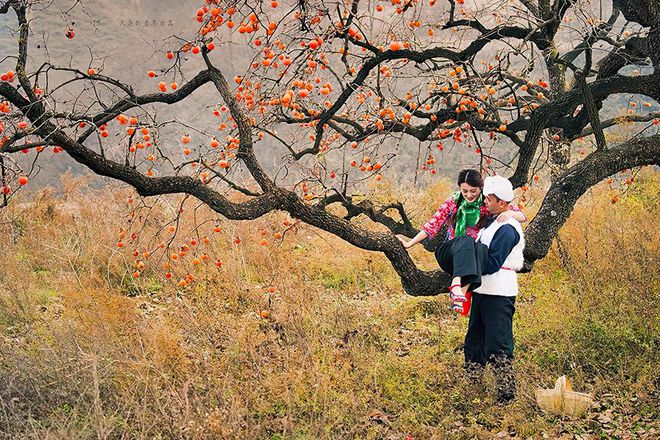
(489, 339)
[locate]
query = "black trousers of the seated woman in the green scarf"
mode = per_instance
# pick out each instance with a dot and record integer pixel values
(463, 257)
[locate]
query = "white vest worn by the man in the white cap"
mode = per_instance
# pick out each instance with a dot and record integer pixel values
(504, 282)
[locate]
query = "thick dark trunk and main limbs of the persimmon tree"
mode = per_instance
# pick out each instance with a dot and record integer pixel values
(568, 184)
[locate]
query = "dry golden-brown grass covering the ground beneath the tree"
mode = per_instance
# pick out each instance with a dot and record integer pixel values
(89, 352)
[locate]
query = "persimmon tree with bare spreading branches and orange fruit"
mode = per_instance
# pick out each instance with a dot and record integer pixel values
(338, 91)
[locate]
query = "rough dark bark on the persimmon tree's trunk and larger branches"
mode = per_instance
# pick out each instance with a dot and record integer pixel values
(558, 113)
